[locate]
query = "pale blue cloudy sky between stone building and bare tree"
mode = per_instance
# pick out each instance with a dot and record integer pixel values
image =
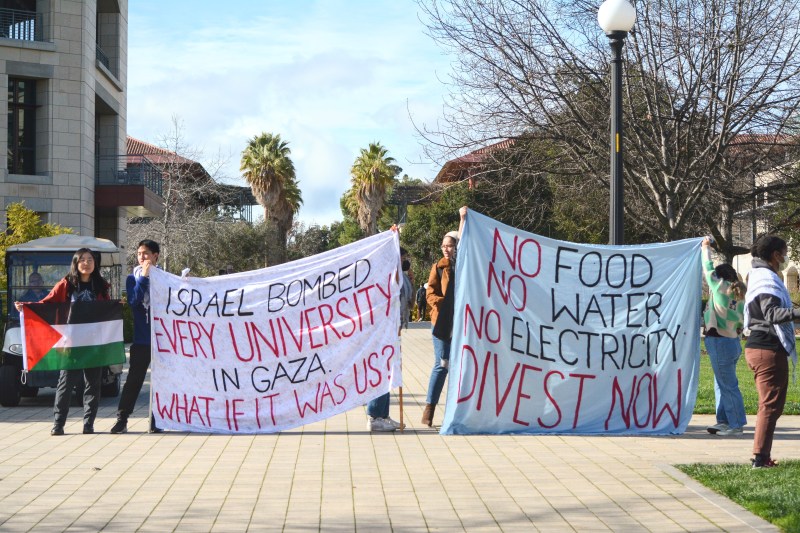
(328, 76)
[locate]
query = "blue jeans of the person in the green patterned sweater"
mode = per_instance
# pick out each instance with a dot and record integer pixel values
(724, 353)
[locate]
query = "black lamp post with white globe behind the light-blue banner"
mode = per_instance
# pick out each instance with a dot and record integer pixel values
(616, 18)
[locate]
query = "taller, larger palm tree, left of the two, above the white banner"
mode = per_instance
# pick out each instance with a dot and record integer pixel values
(270, 173)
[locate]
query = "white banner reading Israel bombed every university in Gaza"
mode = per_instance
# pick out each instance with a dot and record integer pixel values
(277, 348)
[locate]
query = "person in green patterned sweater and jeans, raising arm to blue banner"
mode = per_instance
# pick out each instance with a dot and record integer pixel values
(724, 317)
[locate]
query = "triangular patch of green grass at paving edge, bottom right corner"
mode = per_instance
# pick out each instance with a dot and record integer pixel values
(771, 493)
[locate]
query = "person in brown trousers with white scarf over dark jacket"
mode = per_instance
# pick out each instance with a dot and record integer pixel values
(771, 343)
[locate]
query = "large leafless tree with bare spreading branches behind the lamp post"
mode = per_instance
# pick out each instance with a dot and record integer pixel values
(705, 83)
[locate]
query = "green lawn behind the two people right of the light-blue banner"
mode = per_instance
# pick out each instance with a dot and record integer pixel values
(705, 389)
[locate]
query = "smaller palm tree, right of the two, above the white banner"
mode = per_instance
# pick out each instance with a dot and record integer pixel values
(372, 174)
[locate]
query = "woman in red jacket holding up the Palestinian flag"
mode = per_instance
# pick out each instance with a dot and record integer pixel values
(83, 283)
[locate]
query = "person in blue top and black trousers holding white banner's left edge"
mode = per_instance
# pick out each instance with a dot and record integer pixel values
(138, 287)
